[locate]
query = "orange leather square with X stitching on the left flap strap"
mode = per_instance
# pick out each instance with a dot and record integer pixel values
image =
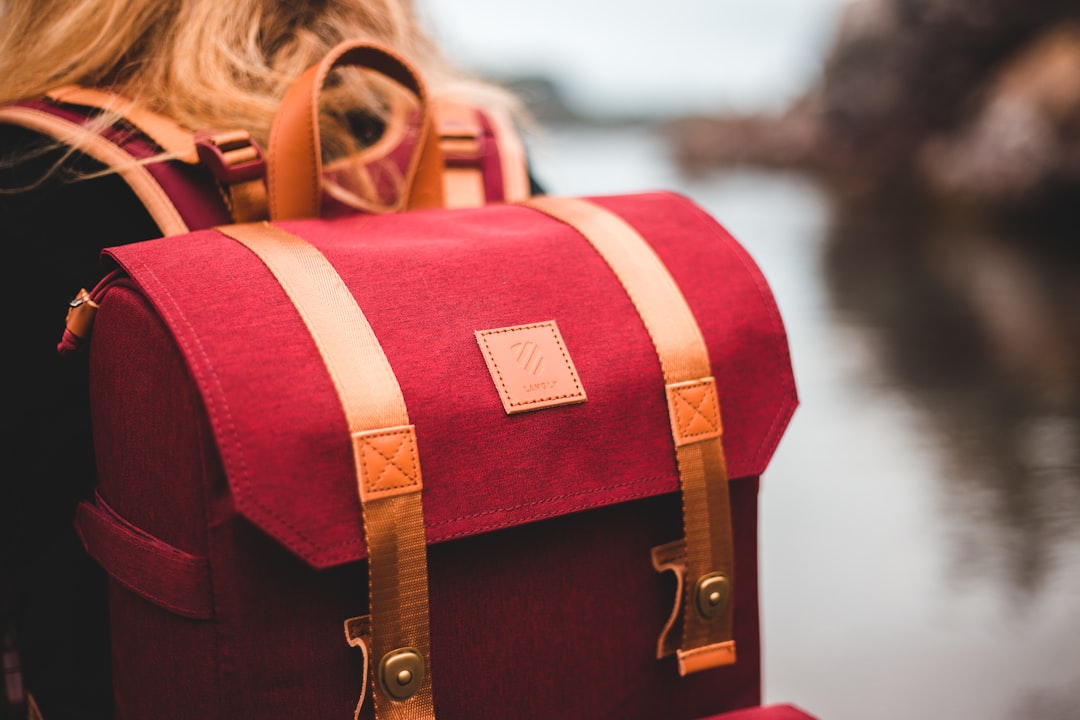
(388, 461)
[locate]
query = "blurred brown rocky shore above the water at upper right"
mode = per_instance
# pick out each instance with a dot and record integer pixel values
(975, 102)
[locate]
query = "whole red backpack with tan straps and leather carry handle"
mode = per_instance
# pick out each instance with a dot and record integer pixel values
(466, 460)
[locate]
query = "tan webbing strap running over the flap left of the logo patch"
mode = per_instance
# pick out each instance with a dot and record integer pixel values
(388, 467)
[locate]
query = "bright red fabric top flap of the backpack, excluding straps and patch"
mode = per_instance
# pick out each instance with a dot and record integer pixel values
(428, 282)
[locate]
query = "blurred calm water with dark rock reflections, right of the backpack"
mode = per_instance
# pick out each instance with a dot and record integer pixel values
(921, 522)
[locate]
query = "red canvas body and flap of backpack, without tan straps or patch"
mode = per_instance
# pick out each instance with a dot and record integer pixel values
(220, 437)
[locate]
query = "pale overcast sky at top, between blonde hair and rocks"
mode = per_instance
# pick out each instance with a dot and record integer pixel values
(636, 57)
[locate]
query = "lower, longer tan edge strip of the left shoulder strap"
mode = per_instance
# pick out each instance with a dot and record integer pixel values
(138, 178)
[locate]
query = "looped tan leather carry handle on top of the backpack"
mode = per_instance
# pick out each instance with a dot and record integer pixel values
(294, 164)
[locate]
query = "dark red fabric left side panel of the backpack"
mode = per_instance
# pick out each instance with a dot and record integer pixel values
(152, 443)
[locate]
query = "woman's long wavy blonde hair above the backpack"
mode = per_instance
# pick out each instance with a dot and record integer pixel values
(218, 64)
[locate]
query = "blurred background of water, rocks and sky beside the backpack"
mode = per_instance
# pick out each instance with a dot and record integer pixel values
(907, 173)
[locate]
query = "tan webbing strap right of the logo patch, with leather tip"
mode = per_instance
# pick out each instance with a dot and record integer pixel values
(695, 416)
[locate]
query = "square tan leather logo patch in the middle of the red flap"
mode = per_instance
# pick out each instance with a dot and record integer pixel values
(531, 368)
